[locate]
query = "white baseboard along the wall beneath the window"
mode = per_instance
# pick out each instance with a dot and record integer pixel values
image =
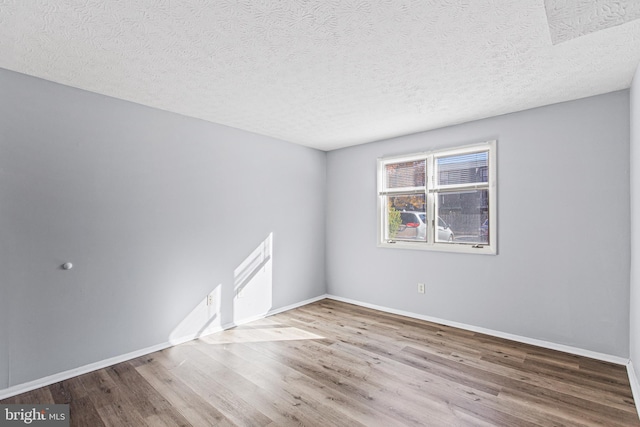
(526, 340)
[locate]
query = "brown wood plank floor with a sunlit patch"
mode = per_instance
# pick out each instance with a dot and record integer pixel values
(335, 364)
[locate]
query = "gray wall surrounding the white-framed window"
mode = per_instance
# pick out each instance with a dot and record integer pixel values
(562, 272)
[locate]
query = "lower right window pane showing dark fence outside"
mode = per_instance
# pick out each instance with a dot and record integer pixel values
(465, 215)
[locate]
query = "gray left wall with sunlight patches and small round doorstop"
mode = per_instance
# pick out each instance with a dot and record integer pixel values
(154, 209)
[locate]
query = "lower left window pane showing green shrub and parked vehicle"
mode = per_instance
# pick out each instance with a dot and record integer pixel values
(406, 218)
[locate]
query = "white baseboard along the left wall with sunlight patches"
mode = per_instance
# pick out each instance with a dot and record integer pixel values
(61, 376)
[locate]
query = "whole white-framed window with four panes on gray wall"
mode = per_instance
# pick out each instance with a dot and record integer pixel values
(441, 200)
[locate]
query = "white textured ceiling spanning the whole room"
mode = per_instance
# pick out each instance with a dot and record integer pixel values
(328, 73)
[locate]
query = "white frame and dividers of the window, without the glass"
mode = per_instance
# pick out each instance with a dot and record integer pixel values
(431, 190)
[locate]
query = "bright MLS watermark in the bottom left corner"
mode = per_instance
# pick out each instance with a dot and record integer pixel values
(34, 415)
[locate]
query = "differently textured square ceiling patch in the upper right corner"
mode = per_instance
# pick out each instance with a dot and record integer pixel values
(569, 19)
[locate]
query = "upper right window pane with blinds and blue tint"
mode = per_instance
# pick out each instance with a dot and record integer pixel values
(463, 169)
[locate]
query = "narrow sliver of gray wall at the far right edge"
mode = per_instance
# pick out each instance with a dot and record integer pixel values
(634, 336)
